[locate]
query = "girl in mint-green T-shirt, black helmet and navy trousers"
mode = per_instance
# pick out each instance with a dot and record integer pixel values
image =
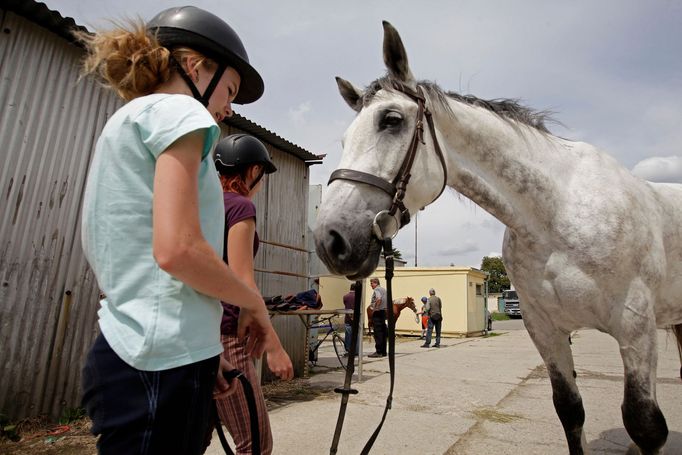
(152, 232)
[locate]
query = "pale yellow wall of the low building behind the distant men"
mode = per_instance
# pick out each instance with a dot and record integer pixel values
(463, 309)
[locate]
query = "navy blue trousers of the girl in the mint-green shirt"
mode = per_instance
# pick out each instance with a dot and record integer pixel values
(148, 412)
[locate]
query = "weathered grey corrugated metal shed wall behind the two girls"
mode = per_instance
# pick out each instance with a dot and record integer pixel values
(49, 123)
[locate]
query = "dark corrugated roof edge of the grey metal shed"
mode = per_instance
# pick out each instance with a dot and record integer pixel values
(52, 20)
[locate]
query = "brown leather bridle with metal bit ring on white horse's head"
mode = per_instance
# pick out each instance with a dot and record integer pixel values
(396, 188)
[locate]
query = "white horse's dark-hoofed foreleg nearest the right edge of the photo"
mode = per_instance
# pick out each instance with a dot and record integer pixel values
(641, 415)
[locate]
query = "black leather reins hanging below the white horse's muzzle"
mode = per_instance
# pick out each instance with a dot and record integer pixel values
(346, 390)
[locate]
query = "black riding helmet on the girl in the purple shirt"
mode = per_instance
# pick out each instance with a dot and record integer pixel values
(240, 151)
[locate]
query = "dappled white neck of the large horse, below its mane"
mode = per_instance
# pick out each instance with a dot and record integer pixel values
(510, 171)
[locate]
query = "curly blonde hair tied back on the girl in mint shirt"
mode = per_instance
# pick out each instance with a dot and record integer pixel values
(131, 61)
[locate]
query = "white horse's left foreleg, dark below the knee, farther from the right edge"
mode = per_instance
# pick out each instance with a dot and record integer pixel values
(553, 346)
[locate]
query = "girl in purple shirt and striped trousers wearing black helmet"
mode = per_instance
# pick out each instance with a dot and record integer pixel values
(242, 162)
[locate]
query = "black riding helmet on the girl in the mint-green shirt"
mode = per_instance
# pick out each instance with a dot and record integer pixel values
(204, 32)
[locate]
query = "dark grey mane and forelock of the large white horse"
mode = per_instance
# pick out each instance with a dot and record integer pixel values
(509, 109)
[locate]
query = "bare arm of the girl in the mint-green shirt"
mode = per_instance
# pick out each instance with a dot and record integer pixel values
(178, 243)
